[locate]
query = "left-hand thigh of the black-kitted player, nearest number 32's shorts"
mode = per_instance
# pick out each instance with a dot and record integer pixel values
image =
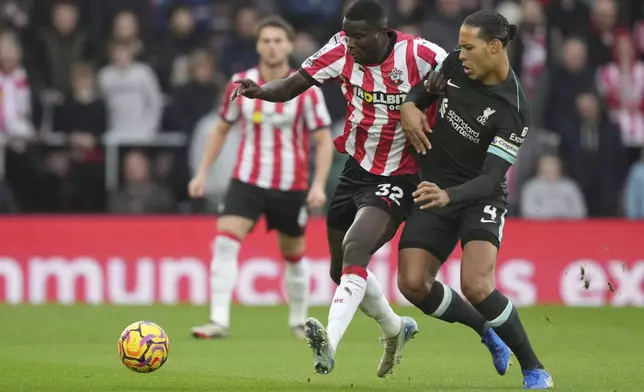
(427, 240)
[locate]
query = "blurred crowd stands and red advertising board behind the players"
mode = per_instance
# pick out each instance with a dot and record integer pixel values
(86, 153)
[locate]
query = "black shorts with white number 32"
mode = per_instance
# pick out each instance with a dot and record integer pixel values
(358, 188)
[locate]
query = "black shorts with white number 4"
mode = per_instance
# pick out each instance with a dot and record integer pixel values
(439, 230)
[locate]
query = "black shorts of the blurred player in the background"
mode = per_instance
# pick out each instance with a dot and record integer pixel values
(285, 211)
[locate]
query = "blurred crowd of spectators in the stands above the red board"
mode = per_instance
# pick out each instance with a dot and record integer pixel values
(104, 105)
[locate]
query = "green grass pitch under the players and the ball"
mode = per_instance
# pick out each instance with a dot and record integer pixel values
(56, 348)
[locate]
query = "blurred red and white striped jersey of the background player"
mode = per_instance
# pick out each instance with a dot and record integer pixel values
(274, 150)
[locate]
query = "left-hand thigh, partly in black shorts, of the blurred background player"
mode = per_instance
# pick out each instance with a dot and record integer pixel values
(243, 205)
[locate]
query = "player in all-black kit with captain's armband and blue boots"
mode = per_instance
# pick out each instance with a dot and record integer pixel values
(482, 122)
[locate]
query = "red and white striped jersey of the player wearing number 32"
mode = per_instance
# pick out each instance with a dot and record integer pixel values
(372, 133)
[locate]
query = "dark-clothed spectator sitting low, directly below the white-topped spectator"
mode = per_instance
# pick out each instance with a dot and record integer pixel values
(139, 194)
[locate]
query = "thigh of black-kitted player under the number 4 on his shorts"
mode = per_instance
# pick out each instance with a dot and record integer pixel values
(481, 232)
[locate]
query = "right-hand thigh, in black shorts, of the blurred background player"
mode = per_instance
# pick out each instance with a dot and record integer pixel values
(286, 212)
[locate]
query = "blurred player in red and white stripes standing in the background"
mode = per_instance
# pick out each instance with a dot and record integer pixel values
(270, 178)
